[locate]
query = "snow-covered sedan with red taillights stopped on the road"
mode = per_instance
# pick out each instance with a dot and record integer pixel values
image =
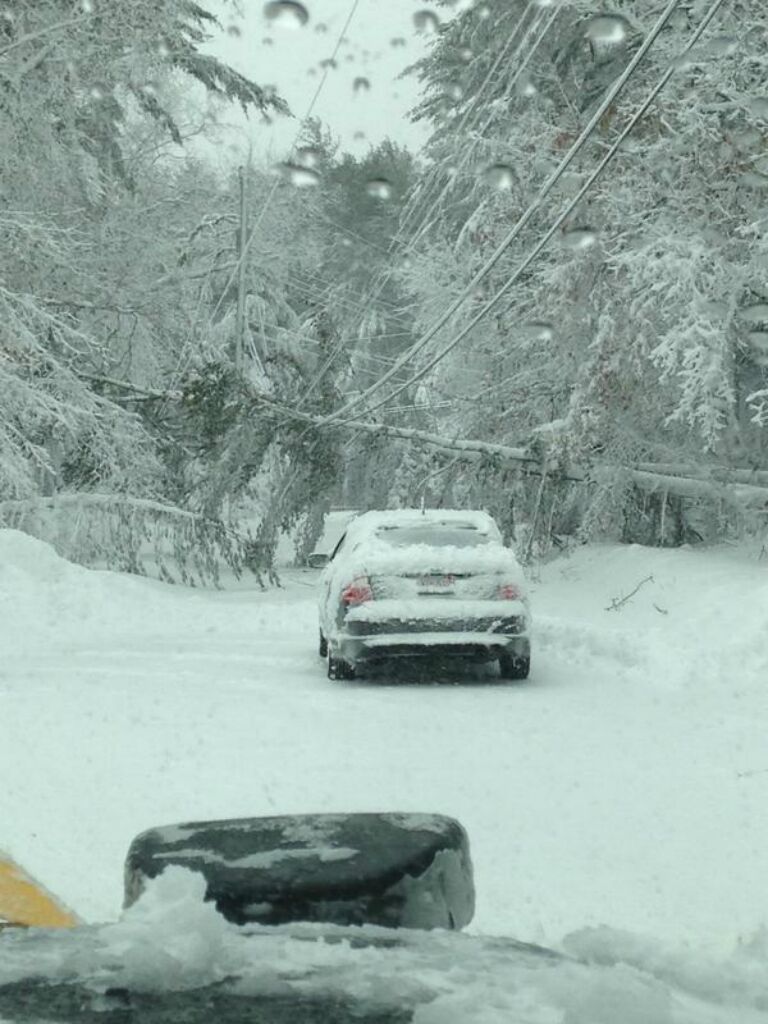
(438, 583)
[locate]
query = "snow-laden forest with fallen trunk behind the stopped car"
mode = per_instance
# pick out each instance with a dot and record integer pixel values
(559, 311)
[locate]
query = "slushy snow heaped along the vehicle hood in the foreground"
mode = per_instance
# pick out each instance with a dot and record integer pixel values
(172, 941)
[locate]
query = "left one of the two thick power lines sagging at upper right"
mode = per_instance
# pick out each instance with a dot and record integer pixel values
(528, 216)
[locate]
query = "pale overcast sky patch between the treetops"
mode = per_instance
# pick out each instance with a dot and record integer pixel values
(292, 64)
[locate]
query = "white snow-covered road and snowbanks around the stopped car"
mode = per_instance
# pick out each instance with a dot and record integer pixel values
(624, 786)
